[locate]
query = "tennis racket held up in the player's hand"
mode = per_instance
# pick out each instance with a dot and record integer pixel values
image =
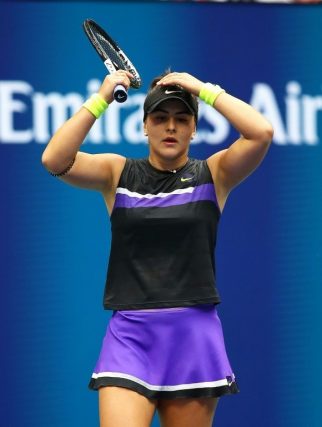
(112, 56)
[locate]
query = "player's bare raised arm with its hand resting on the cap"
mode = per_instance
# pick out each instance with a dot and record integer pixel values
(231, 166)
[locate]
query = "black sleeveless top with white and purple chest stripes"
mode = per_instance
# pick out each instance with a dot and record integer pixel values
(164, 228)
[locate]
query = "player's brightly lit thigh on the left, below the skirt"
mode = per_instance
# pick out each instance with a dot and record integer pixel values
(119, 407)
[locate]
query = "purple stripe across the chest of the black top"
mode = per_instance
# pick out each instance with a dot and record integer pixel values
(200, 193)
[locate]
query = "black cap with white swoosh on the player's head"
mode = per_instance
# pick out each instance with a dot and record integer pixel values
(162, 93)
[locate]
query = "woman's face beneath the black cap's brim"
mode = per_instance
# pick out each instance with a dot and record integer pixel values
(169, 129)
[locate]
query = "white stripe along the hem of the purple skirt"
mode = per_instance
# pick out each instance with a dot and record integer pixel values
(218, 383)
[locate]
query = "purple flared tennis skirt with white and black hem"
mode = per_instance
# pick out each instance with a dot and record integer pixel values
(166, 353)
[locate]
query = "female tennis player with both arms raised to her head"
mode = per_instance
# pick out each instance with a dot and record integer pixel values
(164, 348)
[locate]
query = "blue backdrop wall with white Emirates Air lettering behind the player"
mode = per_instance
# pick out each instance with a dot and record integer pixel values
(55, 238)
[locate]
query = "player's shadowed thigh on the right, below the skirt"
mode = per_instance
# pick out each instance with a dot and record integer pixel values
(184, 412)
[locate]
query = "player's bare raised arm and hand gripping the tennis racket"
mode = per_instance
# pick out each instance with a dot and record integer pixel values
(63, 158)
